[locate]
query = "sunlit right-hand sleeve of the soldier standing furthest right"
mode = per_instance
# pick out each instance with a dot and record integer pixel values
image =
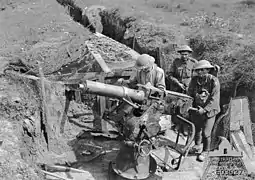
(213, 103)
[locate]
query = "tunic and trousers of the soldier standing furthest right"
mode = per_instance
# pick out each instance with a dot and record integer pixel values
(206, 94)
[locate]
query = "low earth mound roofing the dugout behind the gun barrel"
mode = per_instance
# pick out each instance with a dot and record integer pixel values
(65, 54)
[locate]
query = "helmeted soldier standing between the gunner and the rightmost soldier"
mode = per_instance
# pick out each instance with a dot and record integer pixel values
(180, 72)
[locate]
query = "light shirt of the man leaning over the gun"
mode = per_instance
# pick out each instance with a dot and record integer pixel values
(156, 77)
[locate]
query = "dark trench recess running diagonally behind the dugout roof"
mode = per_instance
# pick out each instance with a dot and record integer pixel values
(113, 26)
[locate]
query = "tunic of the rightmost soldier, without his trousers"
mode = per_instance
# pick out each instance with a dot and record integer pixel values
(212, 86)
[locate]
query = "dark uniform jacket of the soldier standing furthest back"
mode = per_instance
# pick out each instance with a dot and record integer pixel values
(181, 71)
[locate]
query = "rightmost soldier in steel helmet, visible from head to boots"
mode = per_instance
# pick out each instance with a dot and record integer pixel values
(205, 89)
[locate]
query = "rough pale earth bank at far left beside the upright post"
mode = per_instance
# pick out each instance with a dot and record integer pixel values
(17, 114)
